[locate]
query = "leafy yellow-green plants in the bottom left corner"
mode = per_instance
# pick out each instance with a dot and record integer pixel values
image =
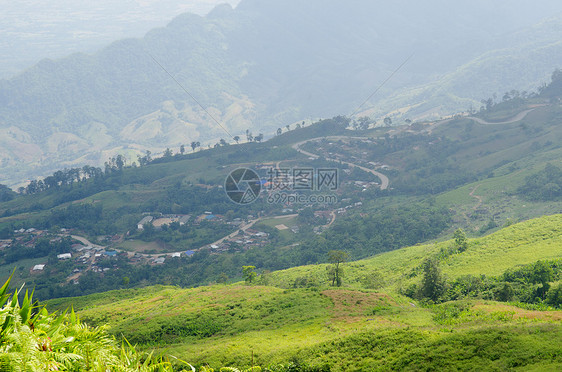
(31, 339)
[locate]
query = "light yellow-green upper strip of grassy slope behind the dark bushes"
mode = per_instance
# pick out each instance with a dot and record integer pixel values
(519, 244)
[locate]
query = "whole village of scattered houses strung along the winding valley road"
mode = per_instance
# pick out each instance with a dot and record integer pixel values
(104, 253)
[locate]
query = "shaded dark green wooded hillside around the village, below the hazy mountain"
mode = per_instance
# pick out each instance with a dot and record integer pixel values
(444, 175)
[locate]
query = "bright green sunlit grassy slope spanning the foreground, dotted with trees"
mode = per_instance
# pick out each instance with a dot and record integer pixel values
(351, 328)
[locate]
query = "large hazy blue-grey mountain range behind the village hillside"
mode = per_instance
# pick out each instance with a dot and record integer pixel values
(263, 65)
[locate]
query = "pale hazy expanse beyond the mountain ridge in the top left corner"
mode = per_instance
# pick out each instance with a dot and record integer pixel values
(34, 29)
